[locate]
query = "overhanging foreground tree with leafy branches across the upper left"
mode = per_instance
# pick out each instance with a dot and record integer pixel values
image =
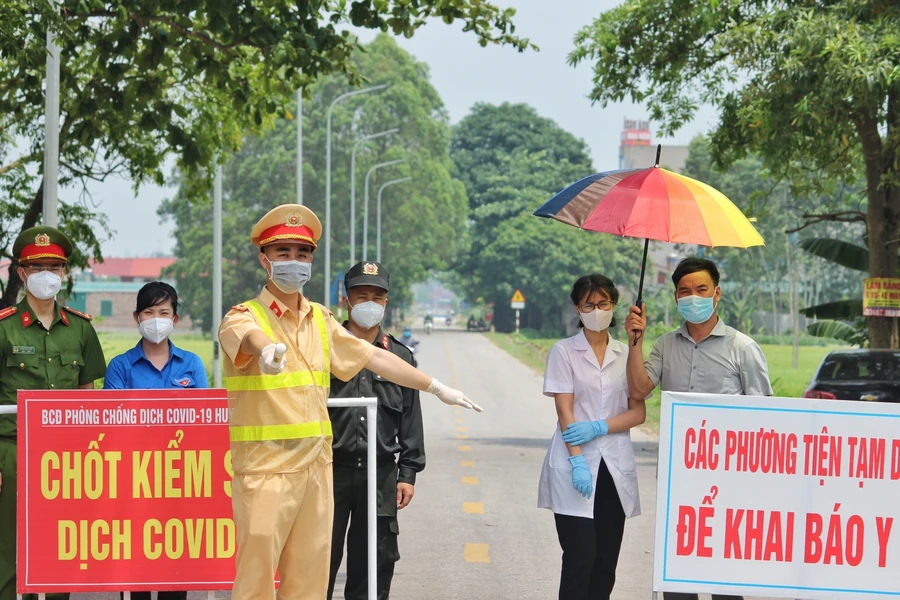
(144, 80)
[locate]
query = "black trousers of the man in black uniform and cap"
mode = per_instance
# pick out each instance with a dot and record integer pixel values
(350, 509)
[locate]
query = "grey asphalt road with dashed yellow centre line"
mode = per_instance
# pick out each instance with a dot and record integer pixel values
(473, 530)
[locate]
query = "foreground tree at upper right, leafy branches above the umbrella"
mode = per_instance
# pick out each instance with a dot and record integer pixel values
(812, 88)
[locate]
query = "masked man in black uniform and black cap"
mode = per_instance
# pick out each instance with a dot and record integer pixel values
(399, 432)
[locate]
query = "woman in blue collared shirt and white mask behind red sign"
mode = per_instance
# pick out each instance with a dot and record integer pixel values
(156, 363)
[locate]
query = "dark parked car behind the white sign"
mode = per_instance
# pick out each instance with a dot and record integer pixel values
(871, 375)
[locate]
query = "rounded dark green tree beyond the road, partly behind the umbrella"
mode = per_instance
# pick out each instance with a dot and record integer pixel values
(512, 161)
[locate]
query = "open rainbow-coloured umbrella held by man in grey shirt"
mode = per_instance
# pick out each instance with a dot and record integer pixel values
(654, 204)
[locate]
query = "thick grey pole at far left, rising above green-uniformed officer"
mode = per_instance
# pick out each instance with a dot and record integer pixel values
(51, 130)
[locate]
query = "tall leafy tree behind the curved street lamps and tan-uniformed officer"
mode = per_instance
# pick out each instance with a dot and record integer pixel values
(423, 220)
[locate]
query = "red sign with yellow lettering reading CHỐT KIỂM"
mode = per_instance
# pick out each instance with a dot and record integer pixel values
(124, 490)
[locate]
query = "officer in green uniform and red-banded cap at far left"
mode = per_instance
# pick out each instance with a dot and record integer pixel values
(43, 346)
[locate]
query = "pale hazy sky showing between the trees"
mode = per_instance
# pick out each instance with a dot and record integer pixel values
(463, 73)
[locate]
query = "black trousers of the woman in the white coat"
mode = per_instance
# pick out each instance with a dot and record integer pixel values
(591, 546)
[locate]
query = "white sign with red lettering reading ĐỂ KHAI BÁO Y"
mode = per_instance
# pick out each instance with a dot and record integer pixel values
(778, 497)
